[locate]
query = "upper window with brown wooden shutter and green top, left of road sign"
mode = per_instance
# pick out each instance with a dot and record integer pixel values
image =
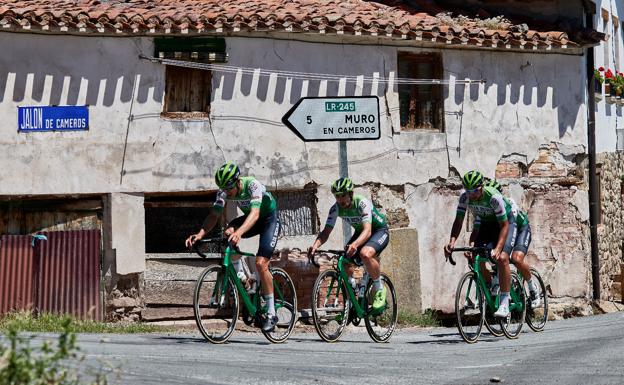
(188, 90)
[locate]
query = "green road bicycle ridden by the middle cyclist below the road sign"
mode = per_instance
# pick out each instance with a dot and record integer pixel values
(335, 303)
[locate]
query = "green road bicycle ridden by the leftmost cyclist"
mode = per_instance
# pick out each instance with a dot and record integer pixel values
(219, 293)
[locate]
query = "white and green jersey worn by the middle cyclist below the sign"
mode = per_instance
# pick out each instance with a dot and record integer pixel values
(361, 211)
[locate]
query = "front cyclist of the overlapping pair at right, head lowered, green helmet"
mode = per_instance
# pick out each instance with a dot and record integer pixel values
(497, 226)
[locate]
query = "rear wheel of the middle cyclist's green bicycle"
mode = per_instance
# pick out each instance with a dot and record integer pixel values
(381, 324)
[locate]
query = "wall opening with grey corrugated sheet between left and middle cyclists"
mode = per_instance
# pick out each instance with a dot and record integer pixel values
(297, 212)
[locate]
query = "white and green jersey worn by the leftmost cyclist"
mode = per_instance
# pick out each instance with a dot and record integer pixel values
(253, 194)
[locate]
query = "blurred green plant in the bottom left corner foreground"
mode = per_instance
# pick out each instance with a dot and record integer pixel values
(47, 364)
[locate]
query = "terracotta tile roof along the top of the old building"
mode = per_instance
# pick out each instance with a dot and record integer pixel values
(390, 19)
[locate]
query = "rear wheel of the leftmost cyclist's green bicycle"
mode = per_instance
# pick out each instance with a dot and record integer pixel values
(285, 299)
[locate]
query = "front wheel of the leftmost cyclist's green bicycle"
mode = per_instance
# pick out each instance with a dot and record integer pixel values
(215, 303)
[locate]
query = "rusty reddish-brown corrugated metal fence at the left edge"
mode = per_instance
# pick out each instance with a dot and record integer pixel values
(60, 275)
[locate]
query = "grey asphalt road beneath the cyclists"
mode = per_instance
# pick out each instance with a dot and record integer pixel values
(584, 351)
